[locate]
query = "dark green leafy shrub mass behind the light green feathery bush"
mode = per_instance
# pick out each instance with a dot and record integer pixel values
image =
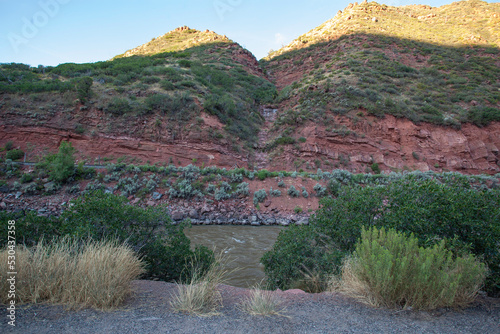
(467, 219)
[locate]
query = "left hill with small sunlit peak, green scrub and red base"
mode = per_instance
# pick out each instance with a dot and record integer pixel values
(185, 96)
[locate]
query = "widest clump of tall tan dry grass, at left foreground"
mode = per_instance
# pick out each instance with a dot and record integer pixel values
(96, 274)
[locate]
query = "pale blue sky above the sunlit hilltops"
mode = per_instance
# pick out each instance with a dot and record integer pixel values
(50, 32)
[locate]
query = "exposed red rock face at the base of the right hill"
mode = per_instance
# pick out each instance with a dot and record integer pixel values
(396, 143)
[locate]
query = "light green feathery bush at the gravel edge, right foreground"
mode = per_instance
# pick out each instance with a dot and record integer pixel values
(391, 269)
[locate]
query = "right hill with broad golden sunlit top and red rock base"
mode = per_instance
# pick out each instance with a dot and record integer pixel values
(397, 88)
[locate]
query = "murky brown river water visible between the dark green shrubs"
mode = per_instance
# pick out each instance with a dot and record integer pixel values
(244, 246)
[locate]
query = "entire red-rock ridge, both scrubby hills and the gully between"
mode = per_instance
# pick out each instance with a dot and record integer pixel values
(374, 88)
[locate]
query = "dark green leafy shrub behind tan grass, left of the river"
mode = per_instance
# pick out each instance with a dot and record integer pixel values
(163, 246)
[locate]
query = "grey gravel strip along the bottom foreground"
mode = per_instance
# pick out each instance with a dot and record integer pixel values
(148, 311)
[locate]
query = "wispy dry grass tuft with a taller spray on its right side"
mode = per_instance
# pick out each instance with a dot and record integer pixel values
(200, 296)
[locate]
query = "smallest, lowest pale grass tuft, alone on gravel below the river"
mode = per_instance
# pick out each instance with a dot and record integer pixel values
(262, 302)
